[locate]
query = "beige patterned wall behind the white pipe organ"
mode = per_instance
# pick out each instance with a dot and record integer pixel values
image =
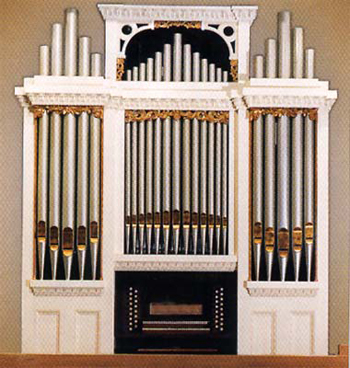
(27, 24)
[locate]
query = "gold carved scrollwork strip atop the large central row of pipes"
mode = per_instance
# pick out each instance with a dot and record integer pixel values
(210, 116)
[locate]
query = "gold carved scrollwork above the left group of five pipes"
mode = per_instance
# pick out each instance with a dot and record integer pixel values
(38, 110)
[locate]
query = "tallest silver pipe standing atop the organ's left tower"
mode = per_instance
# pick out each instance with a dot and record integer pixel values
(71, 41)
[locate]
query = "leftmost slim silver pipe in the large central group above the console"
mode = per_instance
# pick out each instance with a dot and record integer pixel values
(128, 189)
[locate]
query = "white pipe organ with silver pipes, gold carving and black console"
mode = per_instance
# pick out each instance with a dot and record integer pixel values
(196, 173)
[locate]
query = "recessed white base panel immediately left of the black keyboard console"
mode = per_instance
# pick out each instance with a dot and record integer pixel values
(87, 332)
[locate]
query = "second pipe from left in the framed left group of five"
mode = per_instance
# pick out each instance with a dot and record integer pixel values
(55, 189)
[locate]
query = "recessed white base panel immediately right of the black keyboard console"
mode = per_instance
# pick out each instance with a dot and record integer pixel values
(263, 326)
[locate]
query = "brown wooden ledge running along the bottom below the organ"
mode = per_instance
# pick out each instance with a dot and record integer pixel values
(171, 361)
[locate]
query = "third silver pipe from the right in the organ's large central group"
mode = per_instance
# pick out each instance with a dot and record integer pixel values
(211, 181)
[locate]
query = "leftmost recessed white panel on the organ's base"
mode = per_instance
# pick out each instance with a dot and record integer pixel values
(47, 332)
